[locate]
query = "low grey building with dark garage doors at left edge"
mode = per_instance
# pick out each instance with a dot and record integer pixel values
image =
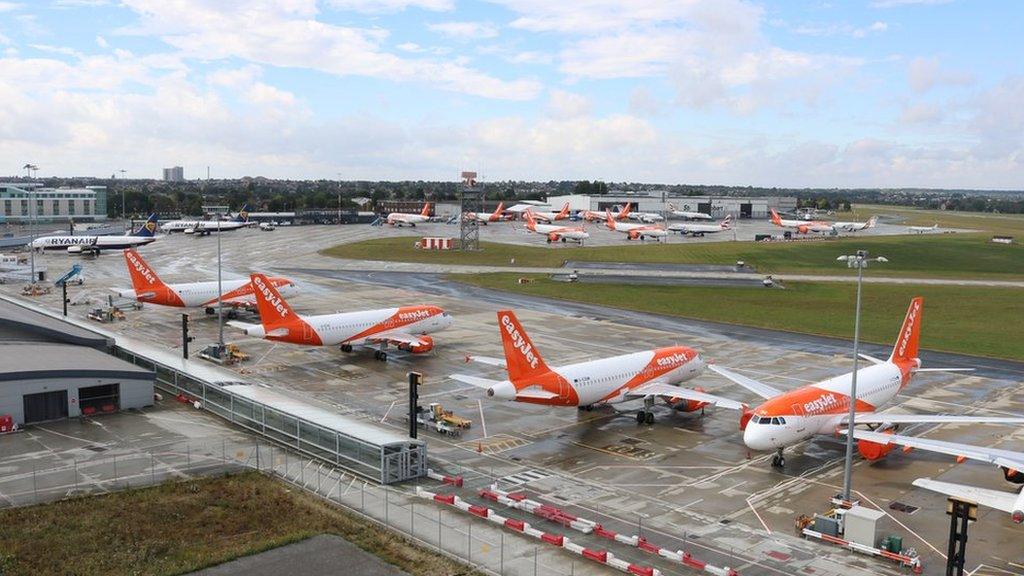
(52, 371)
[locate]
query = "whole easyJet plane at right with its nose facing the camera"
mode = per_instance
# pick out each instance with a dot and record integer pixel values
(789, 418)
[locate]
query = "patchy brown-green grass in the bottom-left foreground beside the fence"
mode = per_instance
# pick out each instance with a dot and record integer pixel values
(182, 527)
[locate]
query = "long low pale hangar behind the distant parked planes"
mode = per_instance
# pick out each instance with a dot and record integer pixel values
(655, 201)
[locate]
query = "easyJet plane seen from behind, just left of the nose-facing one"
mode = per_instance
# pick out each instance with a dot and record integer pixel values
(647, 376)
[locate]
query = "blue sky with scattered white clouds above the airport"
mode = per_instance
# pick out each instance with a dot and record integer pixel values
(889, 94)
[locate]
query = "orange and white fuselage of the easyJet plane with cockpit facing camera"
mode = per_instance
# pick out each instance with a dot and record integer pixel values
(820, 408)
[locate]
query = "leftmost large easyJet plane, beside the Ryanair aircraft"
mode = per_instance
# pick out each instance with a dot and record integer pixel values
(147, 287)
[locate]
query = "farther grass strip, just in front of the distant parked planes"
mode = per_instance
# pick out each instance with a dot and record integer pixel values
(960, 256)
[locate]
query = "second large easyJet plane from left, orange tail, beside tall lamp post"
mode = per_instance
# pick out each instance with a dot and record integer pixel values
(404, 327)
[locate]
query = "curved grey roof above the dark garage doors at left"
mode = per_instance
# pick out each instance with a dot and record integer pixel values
(44, 360)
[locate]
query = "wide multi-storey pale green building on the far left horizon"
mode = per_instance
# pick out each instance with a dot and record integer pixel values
(52, 204)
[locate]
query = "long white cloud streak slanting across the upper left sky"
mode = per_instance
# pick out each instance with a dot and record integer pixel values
(287, 34)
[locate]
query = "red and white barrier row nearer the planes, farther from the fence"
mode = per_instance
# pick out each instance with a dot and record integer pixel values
(519, 501)
